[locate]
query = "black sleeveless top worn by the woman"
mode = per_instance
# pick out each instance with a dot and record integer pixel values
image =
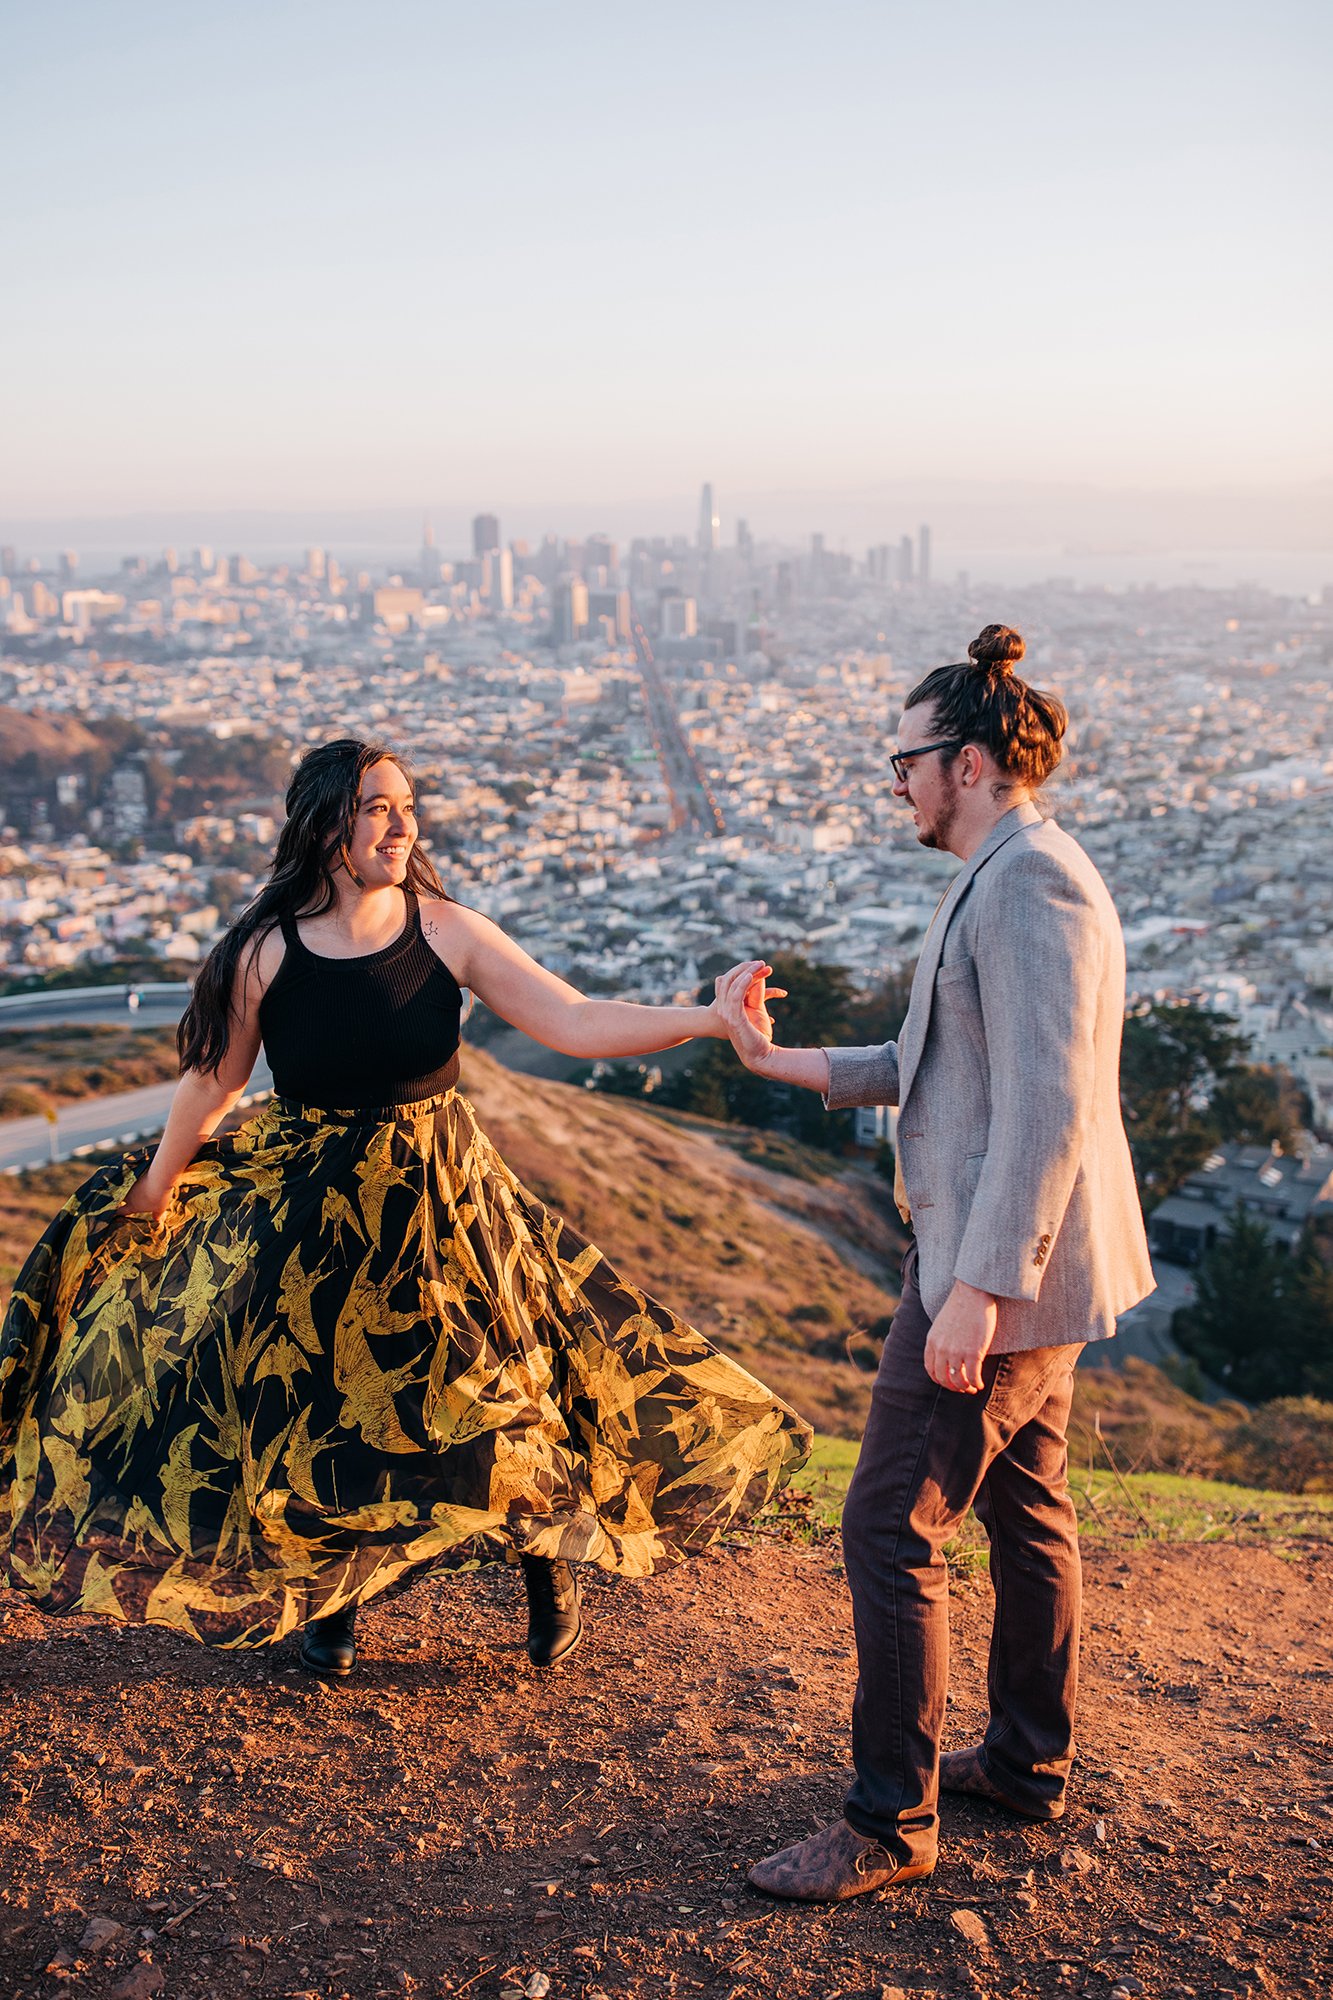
(381, 1029)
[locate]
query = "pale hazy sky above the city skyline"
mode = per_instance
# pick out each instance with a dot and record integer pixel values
(391, 255)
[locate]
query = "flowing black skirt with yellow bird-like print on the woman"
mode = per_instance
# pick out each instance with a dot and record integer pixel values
(355, 1347)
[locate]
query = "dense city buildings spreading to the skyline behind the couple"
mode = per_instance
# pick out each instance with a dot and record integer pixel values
(647, 759)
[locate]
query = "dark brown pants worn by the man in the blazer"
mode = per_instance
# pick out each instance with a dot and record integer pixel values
(926, 1459)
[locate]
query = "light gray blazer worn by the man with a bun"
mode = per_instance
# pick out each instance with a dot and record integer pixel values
(1008, 1085)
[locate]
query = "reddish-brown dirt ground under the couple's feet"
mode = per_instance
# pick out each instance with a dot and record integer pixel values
(447, 1821)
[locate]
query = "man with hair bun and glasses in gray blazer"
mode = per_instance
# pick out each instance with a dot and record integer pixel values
(1028, 1243)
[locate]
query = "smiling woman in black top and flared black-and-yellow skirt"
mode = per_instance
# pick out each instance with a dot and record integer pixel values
(251, 1383)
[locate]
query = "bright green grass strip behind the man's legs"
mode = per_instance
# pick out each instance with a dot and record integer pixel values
(1136, 1507)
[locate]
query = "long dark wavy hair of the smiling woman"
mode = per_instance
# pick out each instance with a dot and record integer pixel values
(321, 811)
